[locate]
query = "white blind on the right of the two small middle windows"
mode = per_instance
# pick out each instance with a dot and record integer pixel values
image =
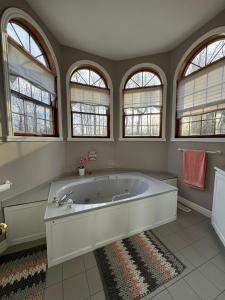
(143, 98)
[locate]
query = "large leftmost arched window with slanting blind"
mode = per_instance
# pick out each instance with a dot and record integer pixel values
(32, 108)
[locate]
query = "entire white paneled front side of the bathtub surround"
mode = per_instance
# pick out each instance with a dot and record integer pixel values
(71, 236)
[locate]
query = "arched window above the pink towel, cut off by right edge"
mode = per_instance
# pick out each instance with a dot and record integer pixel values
(201, 91)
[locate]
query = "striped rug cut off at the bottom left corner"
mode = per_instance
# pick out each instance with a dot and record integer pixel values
(22, 274)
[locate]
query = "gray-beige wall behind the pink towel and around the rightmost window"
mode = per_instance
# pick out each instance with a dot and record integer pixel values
(174, 158)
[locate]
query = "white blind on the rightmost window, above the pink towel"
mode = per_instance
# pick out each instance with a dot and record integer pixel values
(202, 89)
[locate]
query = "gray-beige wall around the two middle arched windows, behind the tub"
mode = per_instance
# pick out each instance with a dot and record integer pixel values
(142, 155)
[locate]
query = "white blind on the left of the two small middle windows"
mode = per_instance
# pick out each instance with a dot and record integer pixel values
(89, 95)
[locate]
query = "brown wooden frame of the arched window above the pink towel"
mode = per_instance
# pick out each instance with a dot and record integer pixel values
(181, 76)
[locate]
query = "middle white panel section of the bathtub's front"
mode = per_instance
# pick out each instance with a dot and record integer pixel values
(111, 224)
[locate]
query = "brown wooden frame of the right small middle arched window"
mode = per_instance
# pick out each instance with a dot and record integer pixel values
(138, 89)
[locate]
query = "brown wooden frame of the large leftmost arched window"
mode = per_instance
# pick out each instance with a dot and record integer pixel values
(51, 69)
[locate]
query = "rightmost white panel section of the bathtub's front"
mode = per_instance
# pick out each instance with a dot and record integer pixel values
(152, 212)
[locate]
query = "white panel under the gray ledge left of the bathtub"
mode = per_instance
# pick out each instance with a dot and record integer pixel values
(25, 221)
